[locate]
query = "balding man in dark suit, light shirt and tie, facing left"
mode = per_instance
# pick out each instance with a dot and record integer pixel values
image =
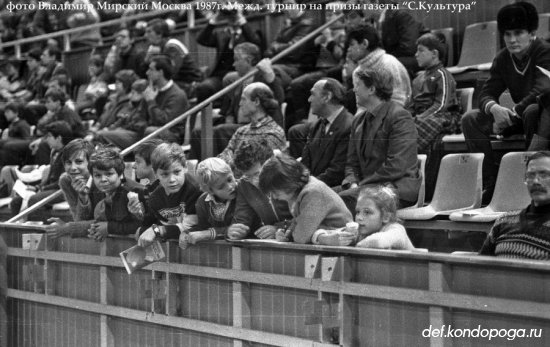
(327, 141)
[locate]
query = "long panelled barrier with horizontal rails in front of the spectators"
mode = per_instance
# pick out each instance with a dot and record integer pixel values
(268, 293)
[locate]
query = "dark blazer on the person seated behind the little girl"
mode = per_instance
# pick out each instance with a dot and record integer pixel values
(385, 152)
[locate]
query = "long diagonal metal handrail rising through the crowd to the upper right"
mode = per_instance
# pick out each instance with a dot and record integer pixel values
(193, 110)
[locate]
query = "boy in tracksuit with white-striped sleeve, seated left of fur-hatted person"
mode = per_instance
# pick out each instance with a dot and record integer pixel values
(433, 103)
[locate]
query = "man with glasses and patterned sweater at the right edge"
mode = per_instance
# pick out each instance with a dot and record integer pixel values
(525, 234)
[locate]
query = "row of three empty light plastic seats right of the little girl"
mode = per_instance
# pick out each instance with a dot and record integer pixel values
(458, 189)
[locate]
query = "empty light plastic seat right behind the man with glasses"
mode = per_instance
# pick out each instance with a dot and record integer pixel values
(510, 192)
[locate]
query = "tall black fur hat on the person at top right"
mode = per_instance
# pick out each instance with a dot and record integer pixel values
(520, 15)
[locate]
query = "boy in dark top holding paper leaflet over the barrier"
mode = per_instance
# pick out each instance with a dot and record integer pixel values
(172, 203)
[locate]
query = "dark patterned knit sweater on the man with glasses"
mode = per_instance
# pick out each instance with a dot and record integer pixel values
(521, 234)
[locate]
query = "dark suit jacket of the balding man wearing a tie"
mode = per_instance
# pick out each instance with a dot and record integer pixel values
(325, 153)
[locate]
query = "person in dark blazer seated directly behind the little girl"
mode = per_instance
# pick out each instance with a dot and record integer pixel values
(383, 142)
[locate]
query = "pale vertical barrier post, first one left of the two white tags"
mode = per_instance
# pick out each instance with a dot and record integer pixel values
(241, 293)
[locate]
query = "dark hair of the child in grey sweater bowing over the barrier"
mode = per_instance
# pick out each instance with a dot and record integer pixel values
(283, 173)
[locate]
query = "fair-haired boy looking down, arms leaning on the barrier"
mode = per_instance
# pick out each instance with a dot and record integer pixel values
(216, 205)
